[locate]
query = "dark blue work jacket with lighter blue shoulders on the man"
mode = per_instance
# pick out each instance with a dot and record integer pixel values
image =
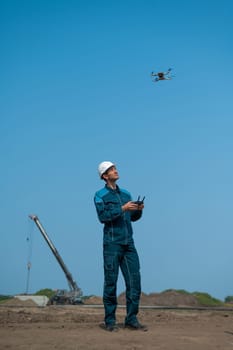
(117, 223)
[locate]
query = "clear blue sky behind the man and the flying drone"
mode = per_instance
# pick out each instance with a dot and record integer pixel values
(76, 90)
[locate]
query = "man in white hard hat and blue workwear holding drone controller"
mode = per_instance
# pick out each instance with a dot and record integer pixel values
(116, 210)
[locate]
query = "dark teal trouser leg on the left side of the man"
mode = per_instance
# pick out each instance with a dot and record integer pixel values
(111, 271)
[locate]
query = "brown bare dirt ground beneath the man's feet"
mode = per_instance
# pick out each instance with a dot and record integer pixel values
(28, 327)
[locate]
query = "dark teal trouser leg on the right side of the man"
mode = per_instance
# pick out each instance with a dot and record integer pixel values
(130, 268)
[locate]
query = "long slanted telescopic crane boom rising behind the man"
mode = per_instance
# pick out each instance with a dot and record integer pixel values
(74, 289)
